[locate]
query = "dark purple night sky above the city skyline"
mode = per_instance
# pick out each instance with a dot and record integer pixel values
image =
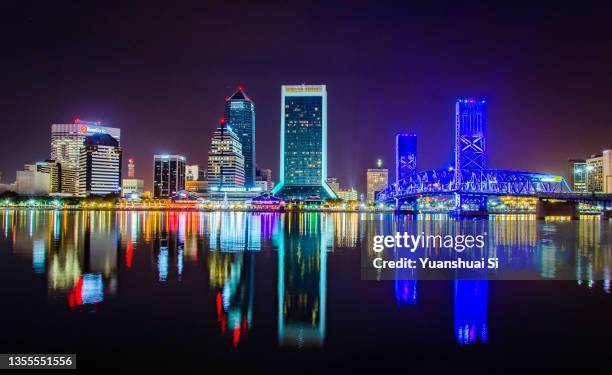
(161, 73)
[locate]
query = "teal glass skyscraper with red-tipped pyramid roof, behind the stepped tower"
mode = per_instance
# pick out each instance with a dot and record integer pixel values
(240, 116)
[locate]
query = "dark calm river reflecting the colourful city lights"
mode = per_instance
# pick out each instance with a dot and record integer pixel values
(229, 289)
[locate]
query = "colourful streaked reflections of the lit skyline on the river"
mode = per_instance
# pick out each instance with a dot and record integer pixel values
(85, 258)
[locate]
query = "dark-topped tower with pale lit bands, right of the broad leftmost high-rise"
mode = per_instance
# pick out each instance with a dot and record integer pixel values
(99, 166)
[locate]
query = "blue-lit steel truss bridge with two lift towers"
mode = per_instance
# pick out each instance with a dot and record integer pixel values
(471, 183)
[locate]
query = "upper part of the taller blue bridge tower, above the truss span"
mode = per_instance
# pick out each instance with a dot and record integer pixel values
(470, 134)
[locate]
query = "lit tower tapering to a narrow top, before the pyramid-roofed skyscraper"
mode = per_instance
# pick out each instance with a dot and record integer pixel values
(225, 159)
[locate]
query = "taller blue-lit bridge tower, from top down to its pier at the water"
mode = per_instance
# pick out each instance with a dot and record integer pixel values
(470, 151)
